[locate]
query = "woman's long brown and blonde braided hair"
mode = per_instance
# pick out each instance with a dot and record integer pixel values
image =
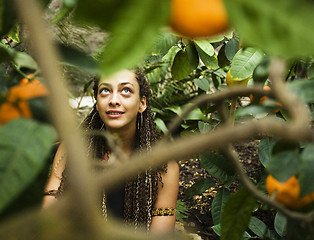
(141, 191)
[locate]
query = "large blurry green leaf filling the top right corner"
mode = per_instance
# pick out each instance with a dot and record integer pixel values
(282, 27)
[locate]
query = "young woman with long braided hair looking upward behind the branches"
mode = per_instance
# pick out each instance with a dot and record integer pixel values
(123, 109)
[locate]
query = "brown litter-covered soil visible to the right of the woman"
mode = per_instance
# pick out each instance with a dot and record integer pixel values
(199, 220)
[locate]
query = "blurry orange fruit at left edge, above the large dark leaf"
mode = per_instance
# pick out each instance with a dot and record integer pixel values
(16, 104)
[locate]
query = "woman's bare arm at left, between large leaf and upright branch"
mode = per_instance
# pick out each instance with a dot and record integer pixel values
(54, 179)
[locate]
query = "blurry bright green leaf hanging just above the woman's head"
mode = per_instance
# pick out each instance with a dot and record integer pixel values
(133, 33)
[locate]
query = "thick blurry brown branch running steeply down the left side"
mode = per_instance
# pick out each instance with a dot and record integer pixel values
(47, 59)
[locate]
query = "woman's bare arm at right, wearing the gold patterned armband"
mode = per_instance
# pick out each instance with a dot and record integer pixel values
(166, 198)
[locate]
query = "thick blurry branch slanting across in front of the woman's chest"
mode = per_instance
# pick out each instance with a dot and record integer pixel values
(182, 147)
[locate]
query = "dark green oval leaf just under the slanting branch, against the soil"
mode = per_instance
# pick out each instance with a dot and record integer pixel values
(217, 165)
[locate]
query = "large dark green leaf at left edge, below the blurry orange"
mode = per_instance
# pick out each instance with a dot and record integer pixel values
(24, 146)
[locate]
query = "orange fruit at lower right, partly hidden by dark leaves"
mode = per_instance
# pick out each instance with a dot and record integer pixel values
(288, 192)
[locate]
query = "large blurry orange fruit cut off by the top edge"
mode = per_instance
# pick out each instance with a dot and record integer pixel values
(198, 18)
